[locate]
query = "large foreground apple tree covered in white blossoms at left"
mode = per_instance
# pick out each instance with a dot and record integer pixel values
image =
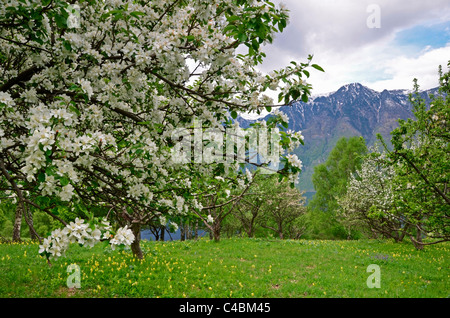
(91, 91)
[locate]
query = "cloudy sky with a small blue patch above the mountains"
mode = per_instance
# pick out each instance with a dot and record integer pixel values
(382, 44)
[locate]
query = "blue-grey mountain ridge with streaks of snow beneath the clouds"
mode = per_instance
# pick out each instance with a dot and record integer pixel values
(352, 110)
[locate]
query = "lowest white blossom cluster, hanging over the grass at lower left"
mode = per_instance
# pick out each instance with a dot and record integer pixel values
(84, 234)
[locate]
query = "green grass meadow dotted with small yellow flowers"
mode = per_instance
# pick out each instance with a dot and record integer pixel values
(231, 268)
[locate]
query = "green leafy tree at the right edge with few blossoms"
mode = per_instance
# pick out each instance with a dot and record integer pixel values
(421, 159)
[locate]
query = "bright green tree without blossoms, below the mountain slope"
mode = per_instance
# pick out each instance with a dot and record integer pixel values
(330, 182)
